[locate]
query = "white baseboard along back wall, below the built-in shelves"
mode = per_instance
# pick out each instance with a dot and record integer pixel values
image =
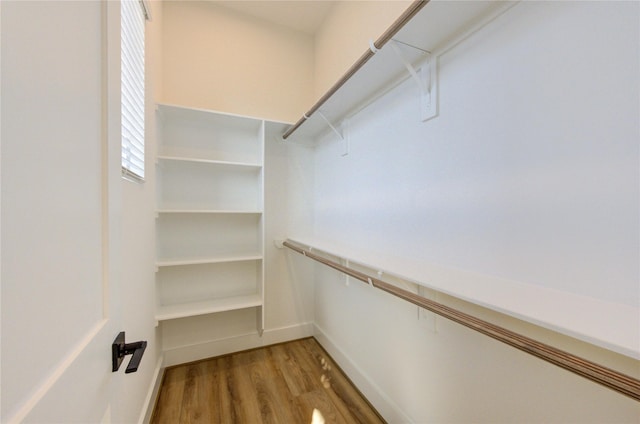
(184, 354)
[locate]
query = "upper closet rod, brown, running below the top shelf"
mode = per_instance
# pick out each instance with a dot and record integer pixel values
(378, 44)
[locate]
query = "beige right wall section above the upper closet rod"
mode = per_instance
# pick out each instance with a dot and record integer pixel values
(345, 34)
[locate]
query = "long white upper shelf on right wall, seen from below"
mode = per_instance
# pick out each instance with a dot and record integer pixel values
(433, 28)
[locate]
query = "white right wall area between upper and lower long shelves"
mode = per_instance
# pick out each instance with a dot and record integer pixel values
(530, 166)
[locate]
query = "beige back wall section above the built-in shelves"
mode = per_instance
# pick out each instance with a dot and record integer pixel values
(216, 58)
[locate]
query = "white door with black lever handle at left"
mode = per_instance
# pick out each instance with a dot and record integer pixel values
(59, 174)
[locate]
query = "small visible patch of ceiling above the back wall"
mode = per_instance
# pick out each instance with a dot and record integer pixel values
(301, 15)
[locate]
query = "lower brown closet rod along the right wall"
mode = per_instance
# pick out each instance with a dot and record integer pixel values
(607, 377)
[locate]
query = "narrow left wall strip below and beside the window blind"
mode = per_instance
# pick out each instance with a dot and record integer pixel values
(138, 247)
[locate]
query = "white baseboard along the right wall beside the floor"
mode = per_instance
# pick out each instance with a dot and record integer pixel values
(383, 404)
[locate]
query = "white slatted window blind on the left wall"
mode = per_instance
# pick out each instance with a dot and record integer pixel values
(132, 19)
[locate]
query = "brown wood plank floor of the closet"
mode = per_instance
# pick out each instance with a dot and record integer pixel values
(282, 383)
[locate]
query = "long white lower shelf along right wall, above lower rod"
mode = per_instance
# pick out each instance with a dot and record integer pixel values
(609, 325)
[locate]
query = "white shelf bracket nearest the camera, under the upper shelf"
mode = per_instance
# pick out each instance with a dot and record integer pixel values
(425, 76)
